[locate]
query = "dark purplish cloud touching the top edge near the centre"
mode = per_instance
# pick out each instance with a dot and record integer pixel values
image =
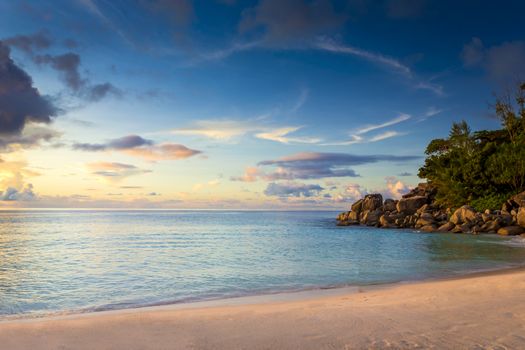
(282, 21)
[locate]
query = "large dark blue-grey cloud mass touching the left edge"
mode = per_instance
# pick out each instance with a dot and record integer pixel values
(20, 102)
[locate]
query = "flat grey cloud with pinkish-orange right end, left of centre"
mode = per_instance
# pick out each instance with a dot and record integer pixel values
(137, 146)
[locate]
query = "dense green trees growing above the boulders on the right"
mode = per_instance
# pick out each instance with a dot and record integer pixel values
(482, 168)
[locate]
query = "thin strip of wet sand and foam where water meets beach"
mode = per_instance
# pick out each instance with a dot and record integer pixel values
(256, 298)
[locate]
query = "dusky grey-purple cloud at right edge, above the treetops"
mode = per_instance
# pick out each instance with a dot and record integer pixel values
(503, 63)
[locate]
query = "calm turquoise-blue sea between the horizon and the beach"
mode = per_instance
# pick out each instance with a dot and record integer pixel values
(63, 261)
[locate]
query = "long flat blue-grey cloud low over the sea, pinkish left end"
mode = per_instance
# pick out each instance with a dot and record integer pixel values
(315, 165)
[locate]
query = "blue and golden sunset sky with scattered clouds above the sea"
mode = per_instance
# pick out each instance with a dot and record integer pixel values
(230, 104)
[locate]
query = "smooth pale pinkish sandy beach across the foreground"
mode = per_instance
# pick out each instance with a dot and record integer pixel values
(475, 312)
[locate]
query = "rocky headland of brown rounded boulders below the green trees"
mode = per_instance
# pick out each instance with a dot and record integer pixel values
(418, 210)
